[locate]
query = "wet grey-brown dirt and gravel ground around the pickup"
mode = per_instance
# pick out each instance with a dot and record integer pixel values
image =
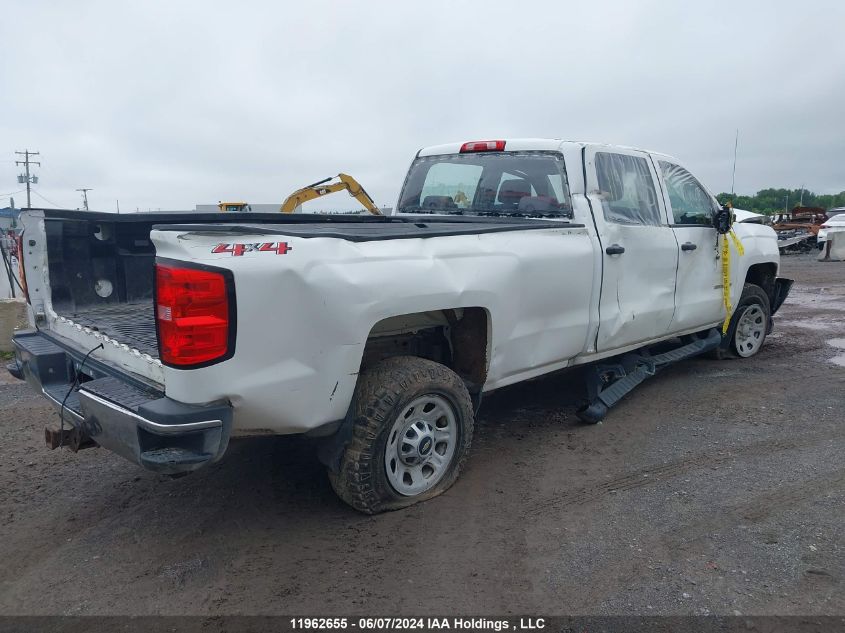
(715, 488)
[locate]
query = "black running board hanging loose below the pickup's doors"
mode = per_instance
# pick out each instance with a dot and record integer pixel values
(607, 383)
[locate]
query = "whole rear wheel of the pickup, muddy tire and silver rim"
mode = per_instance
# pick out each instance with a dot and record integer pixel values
(412, 429)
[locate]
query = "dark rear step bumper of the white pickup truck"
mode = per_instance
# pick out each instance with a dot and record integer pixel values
(121, 414)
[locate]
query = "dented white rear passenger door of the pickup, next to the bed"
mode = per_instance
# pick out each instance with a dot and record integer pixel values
(640, 254)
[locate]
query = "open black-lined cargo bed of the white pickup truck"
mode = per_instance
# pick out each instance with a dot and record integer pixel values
(90, 251)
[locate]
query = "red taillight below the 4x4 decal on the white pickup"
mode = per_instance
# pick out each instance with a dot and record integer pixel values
(193, 314)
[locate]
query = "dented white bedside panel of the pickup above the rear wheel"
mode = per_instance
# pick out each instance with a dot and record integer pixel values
(303, 318)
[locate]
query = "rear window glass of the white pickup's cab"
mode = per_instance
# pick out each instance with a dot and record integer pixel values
(511, 183)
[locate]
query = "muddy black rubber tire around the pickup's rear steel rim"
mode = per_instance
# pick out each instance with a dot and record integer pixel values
(382, 394)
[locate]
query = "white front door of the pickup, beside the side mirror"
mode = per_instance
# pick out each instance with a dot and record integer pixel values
(698, 292)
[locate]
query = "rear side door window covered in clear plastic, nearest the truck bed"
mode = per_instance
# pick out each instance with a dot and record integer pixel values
(627, 189)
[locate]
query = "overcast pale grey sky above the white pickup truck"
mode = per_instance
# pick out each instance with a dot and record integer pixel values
(169, 104)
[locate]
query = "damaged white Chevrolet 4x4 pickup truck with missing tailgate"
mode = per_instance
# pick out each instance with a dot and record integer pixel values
(163, 336)
